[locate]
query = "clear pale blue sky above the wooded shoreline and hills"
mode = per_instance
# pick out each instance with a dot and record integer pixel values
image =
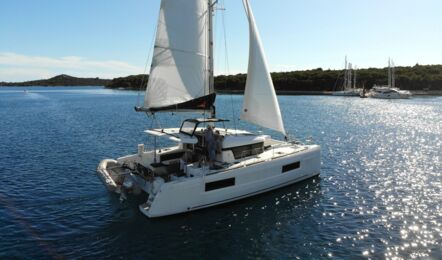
(112, 38)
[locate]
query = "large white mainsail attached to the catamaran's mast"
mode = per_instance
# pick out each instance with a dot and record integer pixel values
(180, 62)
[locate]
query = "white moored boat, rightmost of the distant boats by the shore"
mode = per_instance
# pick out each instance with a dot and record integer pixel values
(389, 91)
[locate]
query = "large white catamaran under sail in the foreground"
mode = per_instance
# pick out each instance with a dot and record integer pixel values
(210, 164)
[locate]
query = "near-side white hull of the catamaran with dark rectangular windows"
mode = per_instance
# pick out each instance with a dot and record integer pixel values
(235, 184)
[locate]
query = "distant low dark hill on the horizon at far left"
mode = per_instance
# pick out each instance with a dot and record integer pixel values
(61, 80)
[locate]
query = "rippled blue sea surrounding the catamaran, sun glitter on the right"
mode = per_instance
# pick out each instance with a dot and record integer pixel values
(379, 194)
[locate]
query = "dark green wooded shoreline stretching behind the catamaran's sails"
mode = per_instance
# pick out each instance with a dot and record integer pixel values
(418, 77)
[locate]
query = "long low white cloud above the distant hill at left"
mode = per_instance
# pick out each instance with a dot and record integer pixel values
(18, 67)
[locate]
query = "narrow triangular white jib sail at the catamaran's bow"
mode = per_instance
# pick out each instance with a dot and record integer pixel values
(260, 104)
